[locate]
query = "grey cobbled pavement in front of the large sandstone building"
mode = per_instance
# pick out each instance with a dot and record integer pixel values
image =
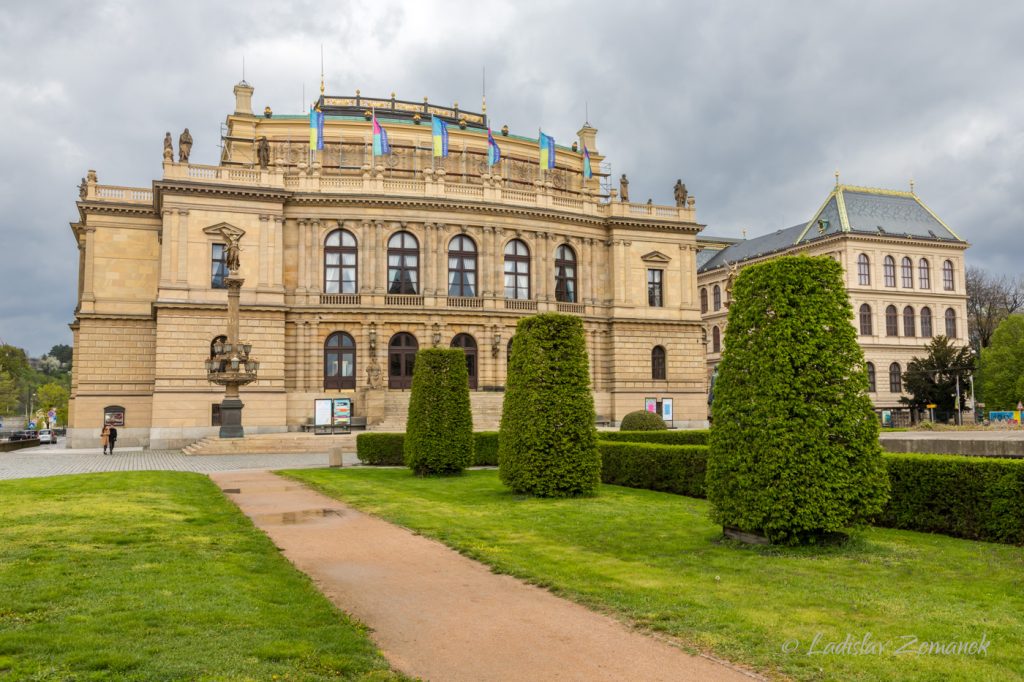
(58, 461)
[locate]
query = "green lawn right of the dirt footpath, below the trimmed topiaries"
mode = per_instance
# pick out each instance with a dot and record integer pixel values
(655, 560)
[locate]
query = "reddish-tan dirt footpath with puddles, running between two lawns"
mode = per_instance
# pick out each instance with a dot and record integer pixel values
(439, 616)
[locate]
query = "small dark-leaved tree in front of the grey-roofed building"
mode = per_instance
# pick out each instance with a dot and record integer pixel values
(932, 379)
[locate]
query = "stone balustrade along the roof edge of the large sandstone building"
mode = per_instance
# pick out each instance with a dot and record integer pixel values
(375, 182)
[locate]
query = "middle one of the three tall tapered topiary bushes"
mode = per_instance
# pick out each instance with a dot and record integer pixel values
(548, 442)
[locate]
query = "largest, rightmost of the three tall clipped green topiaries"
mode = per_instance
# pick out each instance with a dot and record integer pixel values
(794, 445)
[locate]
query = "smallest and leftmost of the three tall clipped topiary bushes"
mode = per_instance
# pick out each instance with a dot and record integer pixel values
(440, 435)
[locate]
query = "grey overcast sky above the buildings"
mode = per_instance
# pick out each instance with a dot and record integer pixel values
(754, 105)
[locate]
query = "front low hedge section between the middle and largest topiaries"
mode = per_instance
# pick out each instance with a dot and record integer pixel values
(679, 470)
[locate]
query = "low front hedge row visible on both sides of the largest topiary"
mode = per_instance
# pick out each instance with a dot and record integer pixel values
(976, 498)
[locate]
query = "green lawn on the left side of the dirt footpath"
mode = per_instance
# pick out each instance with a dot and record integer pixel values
(157, 576)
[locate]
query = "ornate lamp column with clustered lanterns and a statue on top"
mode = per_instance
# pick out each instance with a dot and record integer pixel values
(231, 365)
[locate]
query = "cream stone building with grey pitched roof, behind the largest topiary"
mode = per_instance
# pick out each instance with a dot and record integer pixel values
(904, 270)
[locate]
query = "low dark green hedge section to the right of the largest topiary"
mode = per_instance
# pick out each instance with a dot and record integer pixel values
(967, 497)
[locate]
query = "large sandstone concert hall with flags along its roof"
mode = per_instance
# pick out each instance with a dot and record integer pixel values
(354, 262)
